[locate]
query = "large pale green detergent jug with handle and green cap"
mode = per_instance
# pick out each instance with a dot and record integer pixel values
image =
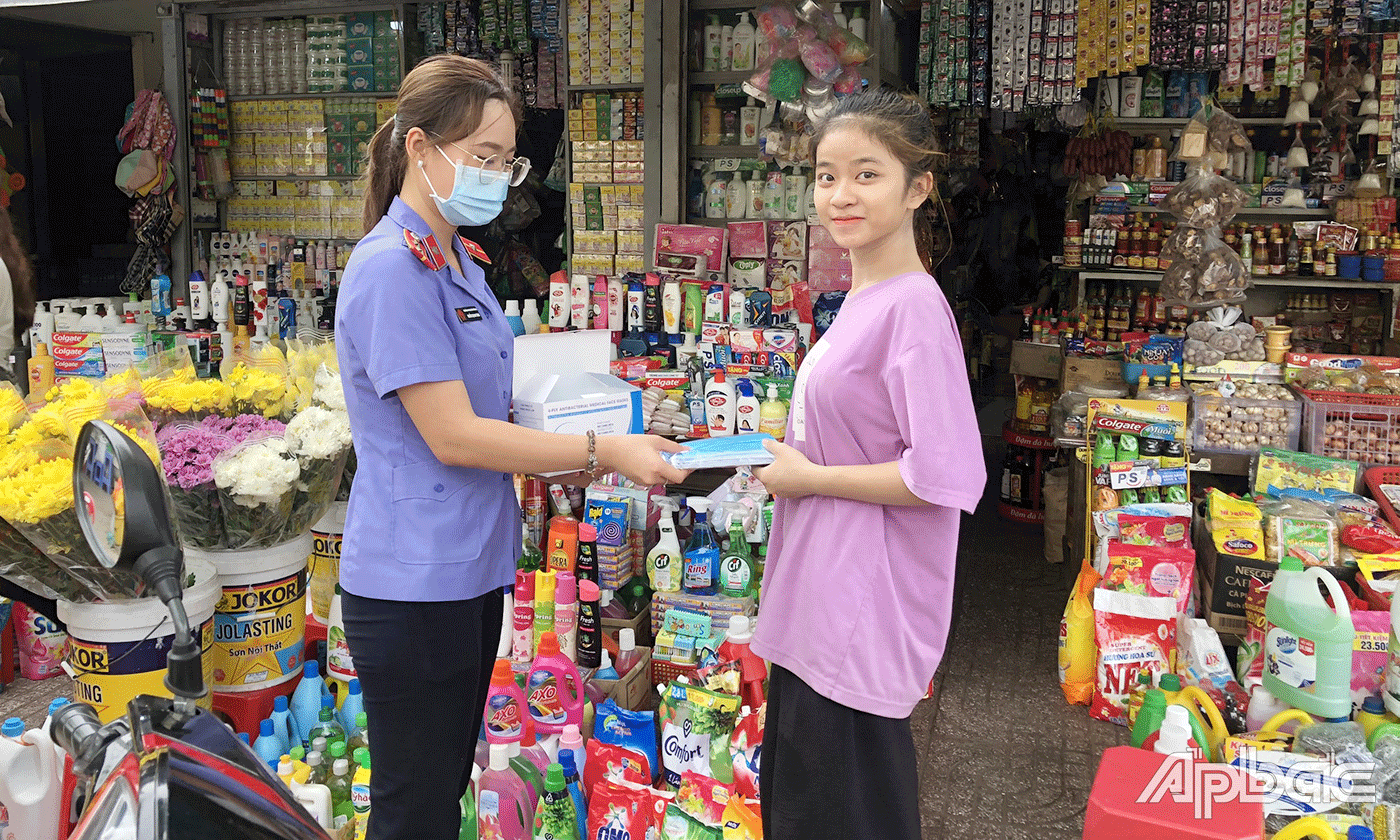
(1308, 647)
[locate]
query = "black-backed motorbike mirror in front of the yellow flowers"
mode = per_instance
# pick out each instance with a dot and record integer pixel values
(120, 498)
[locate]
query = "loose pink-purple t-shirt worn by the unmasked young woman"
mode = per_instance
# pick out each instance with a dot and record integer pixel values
(857, 597)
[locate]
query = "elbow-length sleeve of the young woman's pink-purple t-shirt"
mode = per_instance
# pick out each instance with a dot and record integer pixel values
(929, 390)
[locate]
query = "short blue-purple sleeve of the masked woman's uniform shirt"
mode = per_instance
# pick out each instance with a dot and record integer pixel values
(398, 325)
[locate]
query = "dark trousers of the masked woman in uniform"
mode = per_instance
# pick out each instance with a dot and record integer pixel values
(425, 670)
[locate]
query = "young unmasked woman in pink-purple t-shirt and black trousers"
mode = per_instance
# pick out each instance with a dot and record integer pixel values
(883, 454)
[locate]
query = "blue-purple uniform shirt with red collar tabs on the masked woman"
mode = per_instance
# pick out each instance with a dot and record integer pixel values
(419, 530)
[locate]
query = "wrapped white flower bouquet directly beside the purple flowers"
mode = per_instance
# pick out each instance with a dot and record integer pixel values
(257, 485)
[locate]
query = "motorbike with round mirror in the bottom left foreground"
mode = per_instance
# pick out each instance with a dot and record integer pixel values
(169, 771)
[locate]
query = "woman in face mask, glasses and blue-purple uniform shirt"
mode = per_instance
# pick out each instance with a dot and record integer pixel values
(433, 530)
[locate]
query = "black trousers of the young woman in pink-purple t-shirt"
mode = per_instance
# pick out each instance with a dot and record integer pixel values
(829, 772)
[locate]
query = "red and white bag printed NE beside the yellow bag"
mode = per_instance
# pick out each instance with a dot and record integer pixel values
(1133, 632)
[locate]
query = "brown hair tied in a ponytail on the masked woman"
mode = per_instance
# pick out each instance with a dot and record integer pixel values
(443, 96)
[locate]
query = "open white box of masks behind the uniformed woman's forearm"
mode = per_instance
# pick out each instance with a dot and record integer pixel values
(562, 386)
